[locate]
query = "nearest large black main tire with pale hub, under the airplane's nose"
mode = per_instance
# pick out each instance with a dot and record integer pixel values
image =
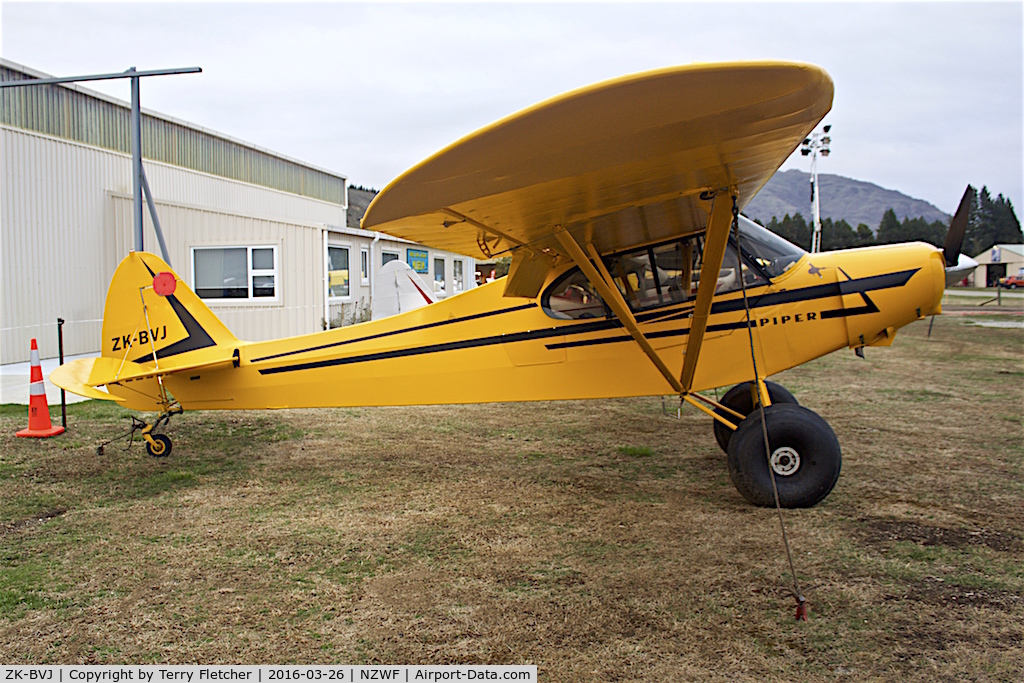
(804, 448)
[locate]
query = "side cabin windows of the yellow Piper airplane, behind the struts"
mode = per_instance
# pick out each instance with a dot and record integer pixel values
(648, 278)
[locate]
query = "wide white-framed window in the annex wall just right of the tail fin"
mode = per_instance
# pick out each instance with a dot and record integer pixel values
(236, 273)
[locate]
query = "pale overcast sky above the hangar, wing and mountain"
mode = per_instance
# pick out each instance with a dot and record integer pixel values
(928, 96)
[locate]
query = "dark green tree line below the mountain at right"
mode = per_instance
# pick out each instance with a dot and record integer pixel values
(990, 223)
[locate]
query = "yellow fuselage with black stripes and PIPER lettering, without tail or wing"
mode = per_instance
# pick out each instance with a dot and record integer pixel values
(482, 348)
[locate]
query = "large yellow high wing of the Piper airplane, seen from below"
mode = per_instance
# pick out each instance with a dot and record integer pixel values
(617, 164)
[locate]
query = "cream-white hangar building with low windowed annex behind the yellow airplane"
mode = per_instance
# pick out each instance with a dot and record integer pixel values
(263, 238)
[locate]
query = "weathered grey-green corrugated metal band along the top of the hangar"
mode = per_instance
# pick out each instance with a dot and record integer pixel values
(74, 113)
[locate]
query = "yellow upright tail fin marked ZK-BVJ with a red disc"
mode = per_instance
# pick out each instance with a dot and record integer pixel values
(151, 315)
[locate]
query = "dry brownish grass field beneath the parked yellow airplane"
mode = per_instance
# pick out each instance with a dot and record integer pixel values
(601, 541)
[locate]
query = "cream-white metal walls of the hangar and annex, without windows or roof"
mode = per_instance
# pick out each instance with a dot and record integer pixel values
(66, 223)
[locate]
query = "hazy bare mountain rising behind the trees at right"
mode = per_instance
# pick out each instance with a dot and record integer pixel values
(855, 201)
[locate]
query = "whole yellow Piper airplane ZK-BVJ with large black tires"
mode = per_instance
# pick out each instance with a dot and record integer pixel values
(613, 201)
